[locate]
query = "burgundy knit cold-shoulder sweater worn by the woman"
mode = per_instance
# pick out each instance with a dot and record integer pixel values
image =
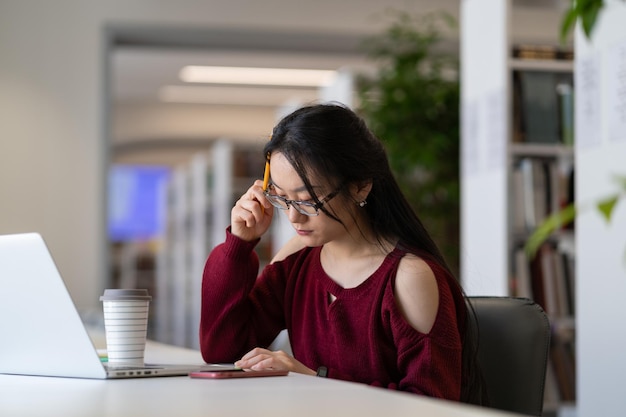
(361, 336)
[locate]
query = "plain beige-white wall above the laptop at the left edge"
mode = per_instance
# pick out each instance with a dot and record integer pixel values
(51, 150)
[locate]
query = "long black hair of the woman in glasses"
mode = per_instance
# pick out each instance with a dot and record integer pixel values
(332, 141)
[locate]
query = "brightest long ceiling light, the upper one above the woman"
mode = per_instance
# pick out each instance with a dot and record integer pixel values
(257, 76)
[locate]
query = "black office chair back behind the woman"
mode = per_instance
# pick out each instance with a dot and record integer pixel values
(513, 348)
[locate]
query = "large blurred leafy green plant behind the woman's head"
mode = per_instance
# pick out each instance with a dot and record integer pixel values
(412, 104)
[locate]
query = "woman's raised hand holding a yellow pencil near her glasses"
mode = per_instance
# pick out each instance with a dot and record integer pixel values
(252, 214)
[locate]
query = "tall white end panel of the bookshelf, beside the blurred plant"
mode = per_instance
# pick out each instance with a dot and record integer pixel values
(484, 57)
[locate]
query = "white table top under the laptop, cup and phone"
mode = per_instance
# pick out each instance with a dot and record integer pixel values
(294, 396)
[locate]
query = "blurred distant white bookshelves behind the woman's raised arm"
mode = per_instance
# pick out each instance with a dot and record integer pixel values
(199, 197)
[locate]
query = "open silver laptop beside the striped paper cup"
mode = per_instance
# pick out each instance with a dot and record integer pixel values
(41, 332)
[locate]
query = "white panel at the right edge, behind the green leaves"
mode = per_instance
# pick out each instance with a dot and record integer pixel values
(600, 247)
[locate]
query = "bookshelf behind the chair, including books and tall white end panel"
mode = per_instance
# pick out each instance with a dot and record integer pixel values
(518, 159)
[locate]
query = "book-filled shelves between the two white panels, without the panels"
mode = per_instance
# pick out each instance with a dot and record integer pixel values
(541, 180)
